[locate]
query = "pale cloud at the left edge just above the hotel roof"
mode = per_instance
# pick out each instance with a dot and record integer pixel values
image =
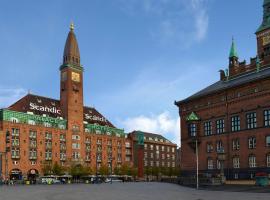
(10, 95)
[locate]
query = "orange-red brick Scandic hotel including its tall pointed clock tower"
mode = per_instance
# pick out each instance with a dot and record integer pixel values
(44, 130)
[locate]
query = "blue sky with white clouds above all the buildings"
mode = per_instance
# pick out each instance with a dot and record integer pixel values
(139, 56)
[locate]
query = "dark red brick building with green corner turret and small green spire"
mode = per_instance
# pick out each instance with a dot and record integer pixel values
(231, 116)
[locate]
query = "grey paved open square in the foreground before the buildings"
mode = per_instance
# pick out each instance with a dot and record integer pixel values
(121, 191)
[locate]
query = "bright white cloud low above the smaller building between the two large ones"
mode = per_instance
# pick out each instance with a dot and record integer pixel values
(163, 124)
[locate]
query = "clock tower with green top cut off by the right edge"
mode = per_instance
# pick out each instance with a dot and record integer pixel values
(263, 35)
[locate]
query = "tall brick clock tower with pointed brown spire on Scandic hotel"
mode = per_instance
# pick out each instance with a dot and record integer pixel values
(71, 94)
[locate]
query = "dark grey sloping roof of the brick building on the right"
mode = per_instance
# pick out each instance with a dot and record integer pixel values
(223, 85)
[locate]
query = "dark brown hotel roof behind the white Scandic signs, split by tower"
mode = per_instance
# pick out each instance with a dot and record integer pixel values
(39, 105)
